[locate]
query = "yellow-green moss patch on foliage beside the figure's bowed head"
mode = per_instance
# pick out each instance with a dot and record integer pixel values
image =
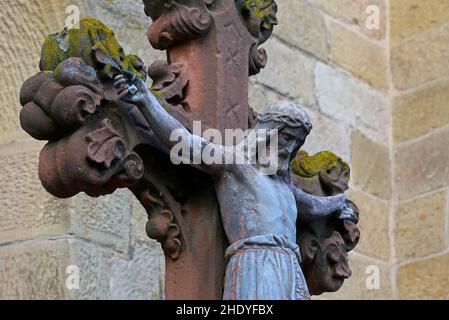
(309, 166)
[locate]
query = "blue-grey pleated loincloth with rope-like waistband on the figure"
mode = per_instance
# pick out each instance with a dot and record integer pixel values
(265, 267)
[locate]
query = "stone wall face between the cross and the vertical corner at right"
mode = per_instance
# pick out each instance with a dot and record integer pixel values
(323, 56)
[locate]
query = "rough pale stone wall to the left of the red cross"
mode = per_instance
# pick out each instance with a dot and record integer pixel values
(40, 236)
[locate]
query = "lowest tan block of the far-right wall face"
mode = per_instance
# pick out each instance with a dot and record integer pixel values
(427, 279)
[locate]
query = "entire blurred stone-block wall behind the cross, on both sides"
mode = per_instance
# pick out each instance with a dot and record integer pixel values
(379, 98)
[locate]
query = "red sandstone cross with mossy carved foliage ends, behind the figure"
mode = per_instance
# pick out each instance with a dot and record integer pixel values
(99, 142)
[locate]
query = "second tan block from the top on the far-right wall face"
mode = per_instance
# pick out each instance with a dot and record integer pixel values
(420, 59)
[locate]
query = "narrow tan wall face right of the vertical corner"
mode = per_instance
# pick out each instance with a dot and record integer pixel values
(420, 133)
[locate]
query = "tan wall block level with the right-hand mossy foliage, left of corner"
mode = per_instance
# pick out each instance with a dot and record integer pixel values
(371, 170)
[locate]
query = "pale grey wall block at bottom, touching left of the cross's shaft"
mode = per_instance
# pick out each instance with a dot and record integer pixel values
(141, 277)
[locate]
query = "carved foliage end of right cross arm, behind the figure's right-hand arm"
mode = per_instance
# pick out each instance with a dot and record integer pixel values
(325, 243)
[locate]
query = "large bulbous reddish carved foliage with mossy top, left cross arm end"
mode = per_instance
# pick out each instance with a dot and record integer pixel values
(73, 105)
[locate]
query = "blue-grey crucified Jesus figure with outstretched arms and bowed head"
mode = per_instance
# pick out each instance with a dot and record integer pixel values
(258, 211)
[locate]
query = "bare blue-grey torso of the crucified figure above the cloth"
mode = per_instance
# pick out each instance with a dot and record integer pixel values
(254, 204)
